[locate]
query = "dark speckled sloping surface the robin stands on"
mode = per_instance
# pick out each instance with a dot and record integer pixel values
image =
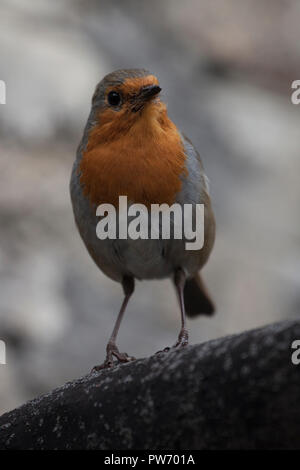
(235, 392)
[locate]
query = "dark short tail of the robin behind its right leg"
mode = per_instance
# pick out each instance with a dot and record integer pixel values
(197, 300)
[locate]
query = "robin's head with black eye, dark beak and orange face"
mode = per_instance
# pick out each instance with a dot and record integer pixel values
(123, 97)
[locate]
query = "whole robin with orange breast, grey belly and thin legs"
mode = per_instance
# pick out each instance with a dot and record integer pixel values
(130, 147)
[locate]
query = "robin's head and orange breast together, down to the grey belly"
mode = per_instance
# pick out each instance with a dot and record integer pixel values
(130, 145)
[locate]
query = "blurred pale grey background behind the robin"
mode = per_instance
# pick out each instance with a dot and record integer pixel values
(226, 70)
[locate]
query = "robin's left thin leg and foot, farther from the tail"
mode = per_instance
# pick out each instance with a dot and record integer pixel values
(111, 348)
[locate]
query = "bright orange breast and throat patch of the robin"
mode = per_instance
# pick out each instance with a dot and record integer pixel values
(140, 157)
